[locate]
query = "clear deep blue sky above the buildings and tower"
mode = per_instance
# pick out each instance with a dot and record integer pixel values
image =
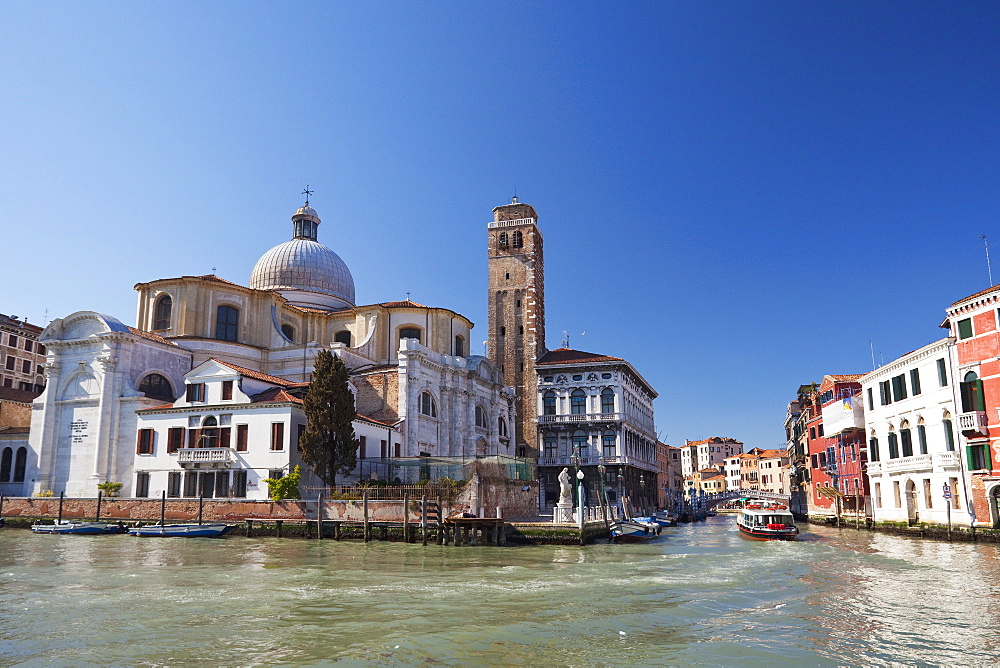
(736, 197)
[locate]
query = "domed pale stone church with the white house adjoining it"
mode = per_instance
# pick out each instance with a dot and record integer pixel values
(117, 395)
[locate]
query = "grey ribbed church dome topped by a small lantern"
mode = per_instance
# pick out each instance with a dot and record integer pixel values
(304, 271)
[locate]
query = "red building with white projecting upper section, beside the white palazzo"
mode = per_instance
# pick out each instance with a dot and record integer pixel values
(836, 447)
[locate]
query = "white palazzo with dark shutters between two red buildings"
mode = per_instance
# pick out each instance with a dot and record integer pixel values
(910, 423)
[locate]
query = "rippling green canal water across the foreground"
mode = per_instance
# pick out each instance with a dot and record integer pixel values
(699, 595)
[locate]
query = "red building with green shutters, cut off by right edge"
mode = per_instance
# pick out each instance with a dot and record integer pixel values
(973, 322)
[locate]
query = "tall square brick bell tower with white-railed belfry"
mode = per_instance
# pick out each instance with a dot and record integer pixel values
(516, 306)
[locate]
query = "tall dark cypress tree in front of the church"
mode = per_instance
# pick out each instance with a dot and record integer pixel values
(328, 443)
